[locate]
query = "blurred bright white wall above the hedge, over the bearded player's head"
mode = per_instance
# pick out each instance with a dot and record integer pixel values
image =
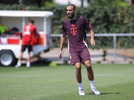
(75, 2)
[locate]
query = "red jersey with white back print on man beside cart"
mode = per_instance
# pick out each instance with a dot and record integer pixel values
(28, 34)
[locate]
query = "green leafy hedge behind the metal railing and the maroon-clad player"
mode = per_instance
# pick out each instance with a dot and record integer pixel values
(115, 19)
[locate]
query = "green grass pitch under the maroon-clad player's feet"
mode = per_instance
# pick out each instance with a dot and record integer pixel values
(41, 82)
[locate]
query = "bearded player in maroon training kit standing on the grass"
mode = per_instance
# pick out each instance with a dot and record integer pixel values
(75, 28)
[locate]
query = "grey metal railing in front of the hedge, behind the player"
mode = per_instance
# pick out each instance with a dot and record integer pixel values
(103, 35)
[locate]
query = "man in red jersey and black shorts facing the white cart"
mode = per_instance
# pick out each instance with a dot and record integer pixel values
(27, 42)
